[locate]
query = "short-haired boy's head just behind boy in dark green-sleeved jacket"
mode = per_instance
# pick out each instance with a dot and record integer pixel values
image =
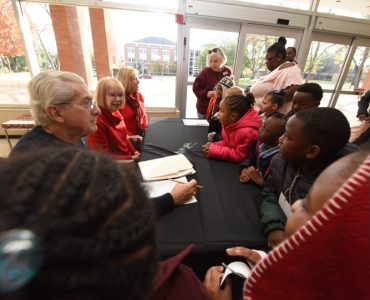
(306, 96)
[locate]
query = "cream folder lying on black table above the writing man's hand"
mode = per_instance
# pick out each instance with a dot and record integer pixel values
(166, 167)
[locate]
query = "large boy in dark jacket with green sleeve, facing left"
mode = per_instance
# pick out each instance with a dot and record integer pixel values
(312, 140)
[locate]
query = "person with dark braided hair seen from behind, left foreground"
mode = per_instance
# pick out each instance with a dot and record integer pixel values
(96, 243)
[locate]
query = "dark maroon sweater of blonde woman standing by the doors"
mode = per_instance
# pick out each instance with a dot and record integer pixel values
(205, 82)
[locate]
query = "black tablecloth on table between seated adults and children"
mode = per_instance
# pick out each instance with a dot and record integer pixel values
(227, 211)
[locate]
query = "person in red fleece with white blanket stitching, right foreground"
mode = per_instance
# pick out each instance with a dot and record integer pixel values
(326, 251)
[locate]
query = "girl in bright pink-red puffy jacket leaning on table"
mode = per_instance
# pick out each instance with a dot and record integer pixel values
(240, 125)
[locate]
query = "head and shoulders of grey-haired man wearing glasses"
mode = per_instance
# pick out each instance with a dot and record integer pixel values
(63, 109)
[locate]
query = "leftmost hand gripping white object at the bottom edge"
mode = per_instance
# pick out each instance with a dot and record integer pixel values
(212, 283)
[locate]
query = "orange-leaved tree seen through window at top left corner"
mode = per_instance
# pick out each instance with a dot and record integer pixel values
(10, 40)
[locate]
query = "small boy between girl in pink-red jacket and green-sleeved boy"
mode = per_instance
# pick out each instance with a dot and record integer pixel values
(255, 166)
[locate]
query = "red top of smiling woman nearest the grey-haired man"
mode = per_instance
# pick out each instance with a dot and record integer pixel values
(111, 136)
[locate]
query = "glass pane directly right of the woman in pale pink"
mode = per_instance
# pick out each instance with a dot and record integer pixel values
(324, 63)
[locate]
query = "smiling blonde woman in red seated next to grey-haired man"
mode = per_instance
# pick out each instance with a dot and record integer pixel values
(111, 137)
